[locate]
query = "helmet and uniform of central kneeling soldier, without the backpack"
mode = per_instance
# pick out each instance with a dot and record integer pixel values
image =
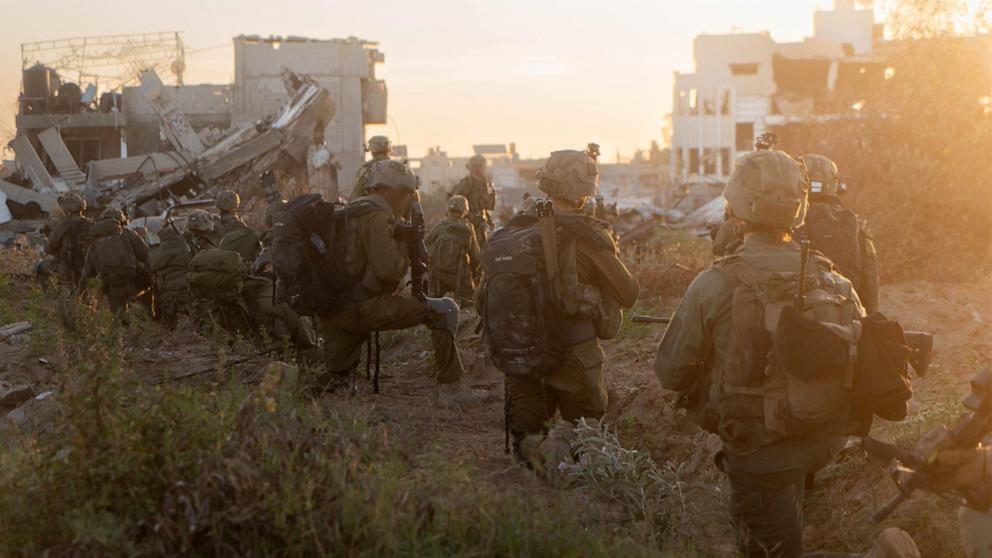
(578, 388)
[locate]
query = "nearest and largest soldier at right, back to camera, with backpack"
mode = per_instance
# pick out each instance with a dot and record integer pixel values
(713, 354)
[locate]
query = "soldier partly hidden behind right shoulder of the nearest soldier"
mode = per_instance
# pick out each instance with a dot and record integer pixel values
(838, 233)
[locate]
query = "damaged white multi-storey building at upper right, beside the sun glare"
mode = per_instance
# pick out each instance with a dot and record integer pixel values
(746, 83)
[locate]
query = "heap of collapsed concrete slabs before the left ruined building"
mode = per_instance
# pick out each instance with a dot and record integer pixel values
(198, 164)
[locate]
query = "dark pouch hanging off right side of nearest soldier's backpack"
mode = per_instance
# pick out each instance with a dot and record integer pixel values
(881, 382)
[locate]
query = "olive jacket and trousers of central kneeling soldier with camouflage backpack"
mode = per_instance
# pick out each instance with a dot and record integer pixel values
(577, 389)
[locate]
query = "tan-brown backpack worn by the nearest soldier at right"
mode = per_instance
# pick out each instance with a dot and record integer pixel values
(789, 371)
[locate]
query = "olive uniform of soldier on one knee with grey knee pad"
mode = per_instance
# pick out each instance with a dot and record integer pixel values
(378, 264)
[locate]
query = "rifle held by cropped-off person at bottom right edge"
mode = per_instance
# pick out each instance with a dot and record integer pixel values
(916, 469)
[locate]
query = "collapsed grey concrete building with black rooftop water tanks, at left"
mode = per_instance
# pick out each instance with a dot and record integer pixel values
(297, 105)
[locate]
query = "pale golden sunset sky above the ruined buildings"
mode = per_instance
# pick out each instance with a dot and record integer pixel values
(545, 74)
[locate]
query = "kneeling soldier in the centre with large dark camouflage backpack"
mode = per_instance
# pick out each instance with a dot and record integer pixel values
(594, 288)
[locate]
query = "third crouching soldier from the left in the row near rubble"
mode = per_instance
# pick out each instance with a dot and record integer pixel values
(167, 262)
